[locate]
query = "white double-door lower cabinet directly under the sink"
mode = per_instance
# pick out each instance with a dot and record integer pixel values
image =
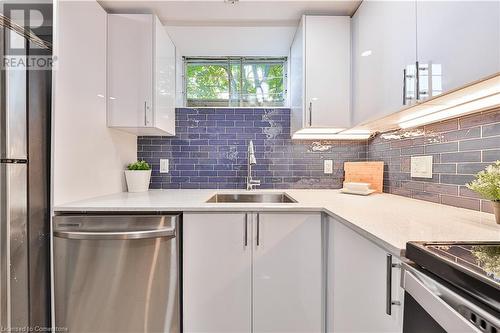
(252, 272)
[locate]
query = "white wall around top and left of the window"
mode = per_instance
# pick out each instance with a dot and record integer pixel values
(228, 41)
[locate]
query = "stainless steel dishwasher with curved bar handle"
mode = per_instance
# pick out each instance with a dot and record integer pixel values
(116, 273)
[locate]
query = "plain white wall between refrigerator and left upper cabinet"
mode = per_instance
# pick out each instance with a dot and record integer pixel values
(88, 157)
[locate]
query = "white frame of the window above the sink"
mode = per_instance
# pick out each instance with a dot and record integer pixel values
(229, 60)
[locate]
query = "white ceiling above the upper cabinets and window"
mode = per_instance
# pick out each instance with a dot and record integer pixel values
(220, 13)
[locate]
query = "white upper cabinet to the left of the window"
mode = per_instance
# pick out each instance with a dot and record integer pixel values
(141, 75)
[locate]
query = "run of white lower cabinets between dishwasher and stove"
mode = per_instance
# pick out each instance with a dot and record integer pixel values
(265, 272)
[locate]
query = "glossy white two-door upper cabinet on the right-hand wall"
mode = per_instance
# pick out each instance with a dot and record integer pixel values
(453, 42)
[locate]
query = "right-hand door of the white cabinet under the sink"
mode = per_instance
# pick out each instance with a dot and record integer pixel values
(287, 279)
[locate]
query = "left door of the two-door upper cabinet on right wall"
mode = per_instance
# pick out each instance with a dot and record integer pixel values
(384, 47)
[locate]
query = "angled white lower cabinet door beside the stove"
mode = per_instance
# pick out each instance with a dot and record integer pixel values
(357, 280)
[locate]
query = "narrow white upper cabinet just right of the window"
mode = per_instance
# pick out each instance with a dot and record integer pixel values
(320, 73)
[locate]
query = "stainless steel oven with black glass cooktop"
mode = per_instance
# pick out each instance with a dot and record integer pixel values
(448, 288)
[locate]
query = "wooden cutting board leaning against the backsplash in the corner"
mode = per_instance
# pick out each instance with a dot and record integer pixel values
(365, 172)
